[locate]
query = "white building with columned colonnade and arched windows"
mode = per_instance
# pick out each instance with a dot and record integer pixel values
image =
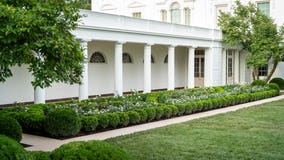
(168, 44)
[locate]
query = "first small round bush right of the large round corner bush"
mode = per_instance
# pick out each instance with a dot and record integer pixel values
(89, 123)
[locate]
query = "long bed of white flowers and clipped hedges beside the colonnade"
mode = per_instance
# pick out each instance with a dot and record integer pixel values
(112, 112)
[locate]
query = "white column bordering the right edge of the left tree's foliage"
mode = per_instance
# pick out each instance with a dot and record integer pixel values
(83, 87)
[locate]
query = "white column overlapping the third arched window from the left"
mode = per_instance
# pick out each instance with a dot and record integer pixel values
(147, 68)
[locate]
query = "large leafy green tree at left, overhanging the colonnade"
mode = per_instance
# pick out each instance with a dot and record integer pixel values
(37, 34)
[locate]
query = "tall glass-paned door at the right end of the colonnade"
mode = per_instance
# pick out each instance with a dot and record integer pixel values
(199, 62)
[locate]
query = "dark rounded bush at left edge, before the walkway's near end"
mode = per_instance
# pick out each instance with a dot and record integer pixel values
(11, 128)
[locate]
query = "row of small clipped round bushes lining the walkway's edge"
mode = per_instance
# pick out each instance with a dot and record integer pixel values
(121, 119)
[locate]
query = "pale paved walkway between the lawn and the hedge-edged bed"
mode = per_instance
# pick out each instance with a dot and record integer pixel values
(49, 144)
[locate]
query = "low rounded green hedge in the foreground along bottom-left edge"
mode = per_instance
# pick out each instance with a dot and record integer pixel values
(91, 150)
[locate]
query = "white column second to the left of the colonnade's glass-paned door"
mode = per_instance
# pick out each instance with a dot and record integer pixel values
(171, 68)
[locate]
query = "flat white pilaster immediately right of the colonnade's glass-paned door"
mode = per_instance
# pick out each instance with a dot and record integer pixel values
(208, 67)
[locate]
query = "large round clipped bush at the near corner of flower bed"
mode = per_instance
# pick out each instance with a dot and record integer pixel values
(62, 122)
